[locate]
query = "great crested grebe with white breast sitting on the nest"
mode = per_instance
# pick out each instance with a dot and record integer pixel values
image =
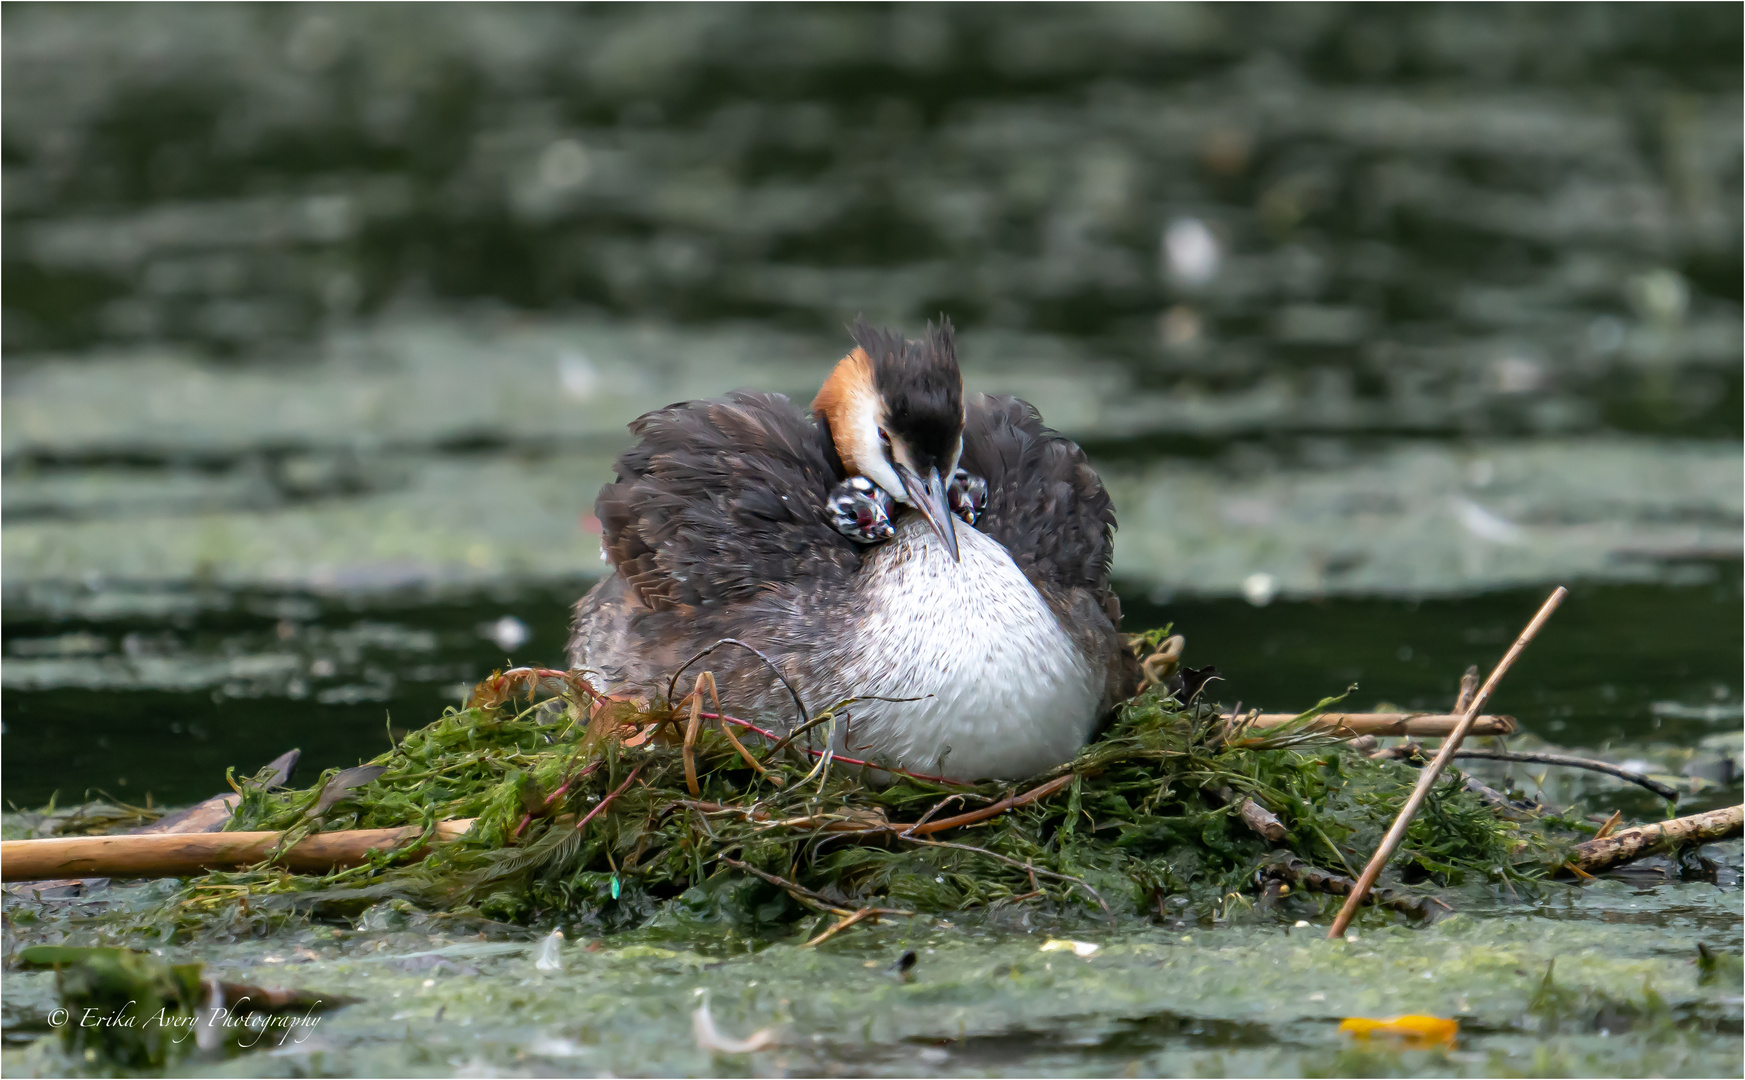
(943, 559)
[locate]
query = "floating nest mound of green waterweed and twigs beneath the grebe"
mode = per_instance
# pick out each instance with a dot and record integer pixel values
(606, 814)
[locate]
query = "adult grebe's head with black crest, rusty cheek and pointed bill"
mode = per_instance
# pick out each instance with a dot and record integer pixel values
(896, 414)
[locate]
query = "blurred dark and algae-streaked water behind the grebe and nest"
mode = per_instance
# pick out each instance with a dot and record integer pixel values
(324, 322)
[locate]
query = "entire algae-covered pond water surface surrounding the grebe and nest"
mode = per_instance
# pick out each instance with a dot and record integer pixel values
(324, 324)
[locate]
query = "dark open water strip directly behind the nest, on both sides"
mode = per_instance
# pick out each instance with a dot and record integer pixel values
(1624, 667)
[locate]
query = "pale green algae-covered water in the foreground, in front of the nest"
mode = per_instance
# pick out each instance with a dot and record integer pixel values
(1596, 981)
